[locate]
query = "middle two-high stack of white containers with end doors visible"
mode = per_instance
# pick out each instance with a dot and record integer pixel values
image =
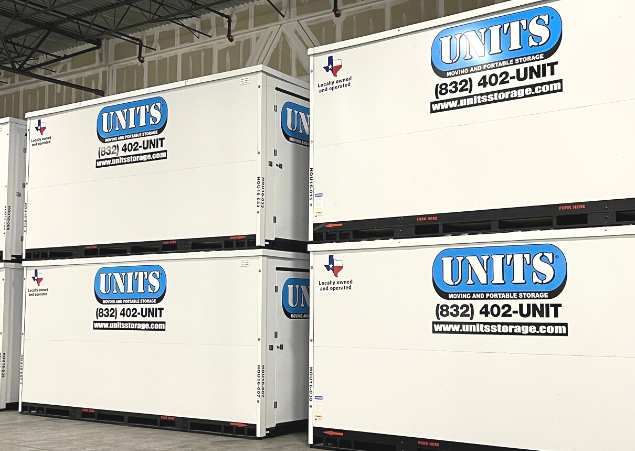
(166, 230)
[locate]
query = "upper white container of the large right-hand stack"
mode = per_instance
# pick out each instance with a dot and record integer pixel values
(512, 107)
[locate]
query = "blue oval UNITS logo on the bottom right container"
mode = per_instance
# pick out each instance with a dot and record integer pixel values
(537, 271)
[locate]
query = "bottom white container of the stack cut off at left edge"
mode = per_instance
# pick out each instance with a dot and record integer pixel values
(10, 328)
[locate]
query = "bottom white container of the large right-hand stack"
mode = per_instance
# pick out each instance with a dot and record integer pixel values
(521, 340)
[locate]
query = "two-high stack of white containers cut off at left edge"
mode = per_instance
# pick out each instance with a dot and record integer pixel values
(12, 178)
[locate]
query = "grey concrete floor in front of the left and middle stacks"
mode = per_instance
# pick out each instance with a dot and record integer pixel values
(31, 433)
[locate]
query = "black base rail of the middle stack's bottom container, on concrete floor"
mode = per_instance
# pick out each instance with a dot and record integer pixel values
(227, 428)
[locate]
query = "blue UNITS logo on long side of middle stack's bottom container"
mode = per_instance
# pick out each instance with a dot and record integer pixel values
(130, 285)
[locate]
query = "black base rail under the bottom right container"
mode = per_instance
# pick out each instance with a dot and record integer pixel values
(338, 439)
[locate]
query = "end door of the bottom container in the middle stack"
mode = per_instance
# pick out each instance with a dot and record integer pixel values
(292, 345)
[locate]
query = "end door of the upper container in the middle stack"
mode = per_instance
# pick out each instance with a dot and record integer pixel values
(291, 160)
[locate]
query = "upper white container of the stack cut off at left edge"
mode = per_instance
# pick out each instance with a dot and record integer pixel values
(12, 179)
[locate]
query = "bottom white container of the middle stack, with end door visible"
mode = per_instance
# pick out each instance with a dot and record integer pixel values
(208, 341)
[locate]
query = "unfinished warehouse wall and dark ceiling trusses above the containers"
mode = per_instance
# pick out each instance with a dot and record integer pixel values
(180, 40)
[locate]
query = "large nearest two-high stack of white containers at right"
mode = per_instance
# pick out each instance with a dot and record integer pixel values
(430, 327)
